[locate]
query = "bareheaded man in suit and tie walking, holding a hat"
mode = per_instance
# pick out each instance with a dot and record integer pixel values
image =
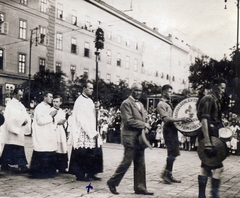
(133, 117)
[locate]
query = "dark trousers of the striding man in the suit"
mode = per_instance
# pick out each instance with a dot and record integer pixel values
(137, 156)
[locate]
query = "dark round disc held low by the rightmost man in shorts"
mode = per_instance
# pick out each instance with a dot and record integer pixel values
(222, 152)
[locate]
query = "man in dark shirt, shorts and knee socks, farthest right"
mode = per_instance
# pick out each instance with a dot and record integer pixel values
(209, 114)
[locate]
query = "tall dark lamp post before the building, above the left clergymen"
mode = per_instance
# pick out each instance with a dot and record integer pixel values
(30, 64)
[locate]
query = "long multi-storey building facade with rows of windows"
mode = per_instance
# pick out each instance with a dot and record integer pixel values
(58, 34)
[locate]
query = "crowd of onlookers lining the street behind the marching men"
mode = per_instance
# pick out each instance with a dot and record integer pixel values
(110, 121)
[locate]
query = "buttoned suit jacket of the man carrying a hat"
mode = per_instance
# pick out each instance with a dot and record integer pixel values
(133, 121)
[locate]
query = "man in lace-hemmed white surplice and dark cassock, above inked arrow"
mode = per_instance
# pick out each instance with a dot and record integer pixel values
(86, 158)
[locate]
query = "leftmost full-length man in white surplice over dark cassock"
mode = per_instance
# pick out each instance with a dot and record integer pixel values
(17, 122)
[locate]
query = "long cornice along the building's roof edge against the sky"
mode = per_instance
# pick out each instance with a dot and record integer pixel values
(117, 13)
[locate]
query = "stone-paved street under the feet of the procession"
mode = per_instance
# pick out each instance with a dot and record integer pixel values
(186, 168)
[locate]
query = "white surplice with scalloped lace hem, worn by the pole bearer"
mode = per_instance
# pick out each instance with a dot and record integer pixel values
(83, 127)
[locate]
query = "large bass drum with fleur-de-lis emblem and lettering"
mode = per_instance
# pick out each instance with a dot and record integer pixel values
(187, 108)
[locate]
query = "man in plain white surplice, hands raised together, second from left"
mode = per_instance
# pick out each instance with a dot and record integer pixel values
(44, 139)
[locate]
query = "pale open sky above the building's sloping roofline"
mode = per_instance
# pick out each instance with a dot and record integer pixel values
(204, 24)
